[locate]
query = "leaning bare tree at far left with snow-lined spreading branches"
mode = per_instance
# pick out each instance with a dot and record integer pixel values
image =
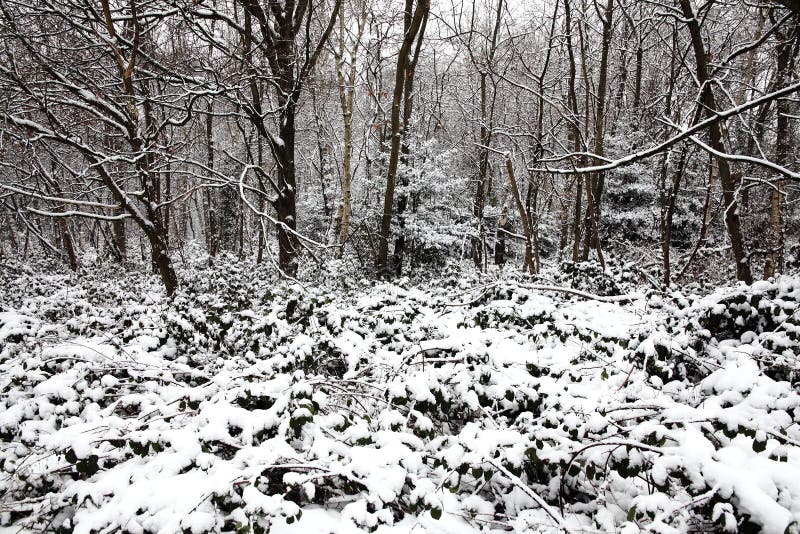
(53, 96)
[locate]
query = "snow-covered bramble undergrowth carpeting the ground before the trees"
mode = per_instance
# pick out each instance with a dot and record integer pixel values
(574, 402)
